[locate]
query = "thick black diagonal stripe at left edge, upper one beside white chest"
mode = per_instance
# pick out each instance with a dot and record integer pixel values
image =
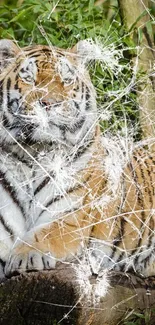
(9, 189)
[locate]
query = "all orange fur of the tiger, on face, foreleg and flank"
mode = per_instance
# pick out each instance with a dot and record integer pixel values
(127, 221)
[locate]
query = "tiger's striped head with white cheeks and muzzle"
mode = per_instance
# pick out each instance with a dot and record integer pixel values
(46, 94)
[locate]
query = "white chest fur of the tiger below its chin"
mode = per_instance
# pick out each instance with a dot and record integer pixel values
(41, 185)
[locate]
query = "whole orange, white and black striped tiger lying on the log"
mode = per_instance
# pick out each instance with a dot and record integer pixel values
(64, 191)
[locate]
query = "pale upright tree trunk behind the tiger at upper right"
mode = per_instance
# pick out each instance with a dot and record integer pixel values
(136, 18)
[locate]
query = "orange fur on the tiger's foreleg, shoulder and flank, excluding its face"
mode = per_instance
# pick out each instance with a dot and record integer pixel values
(67, 236)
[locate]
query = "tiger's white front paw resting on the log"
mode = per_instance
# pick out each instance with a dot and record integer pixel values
(31, 261)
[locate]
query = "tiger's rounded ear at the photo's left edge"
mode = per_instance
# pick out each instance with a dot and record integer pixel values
(8, 50)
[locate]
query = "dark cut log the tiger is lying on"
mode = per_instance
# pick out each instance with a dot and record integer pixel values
(59, 297)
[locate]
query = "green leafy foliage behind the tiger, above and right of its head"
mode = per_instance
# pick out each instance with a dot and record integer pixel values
(63, 23)
